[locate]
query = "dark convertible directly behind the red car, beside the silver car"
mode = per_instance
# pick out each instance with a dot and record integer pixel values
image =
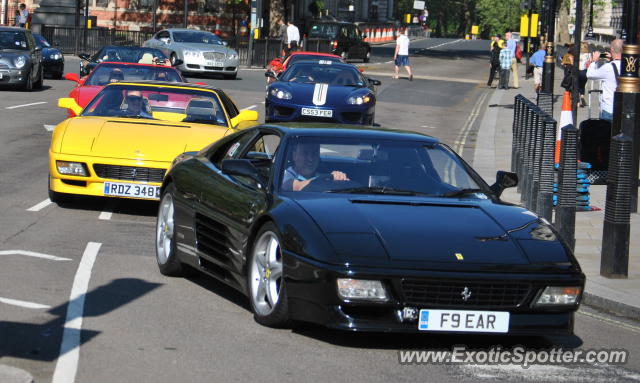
(127, 54)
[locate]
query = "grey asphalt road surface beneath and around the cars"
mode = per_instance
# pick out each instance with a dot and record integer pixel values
(140, 326)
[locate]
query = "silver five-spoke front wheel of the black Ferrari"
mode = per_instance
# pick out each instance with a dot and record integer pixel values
(265, 279)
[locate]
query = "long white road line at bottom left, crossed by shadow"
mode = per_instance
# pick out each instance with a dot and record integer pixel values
(67, 364)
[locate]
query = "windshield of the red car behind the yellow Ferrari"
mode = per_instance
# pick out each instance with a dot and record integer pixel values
(107, 73)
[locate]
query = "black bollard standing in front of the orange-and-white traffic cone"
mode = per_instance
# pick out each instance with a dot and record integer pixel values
(566, 211)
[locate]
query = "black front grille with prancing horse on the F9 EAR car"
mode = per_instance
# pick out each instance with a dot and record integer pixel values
(450, 293)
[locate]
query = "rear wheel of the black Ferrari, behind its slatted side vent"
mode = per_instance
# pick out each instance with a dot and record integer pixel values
(166, 248)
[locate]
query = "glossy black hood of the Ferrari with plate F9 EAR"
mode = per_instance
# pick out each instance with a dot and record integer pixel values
(431, 231)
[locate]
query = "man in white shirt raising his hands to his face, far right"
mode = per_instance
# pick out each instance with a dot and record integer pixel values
(607, 73)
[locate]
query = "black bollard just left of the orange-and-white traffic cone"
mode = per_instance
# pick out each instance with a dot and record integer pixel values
(547, 171)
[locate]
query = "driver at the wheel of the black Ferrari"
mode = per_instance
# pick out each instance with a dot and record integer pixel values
(306, 157)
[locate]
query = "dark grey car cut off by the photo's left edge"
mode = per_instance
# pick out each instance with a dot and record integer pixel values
(20, 59)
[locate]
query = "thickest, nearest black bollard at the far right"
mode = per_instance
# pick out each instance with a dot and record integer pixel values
(614, 261)
